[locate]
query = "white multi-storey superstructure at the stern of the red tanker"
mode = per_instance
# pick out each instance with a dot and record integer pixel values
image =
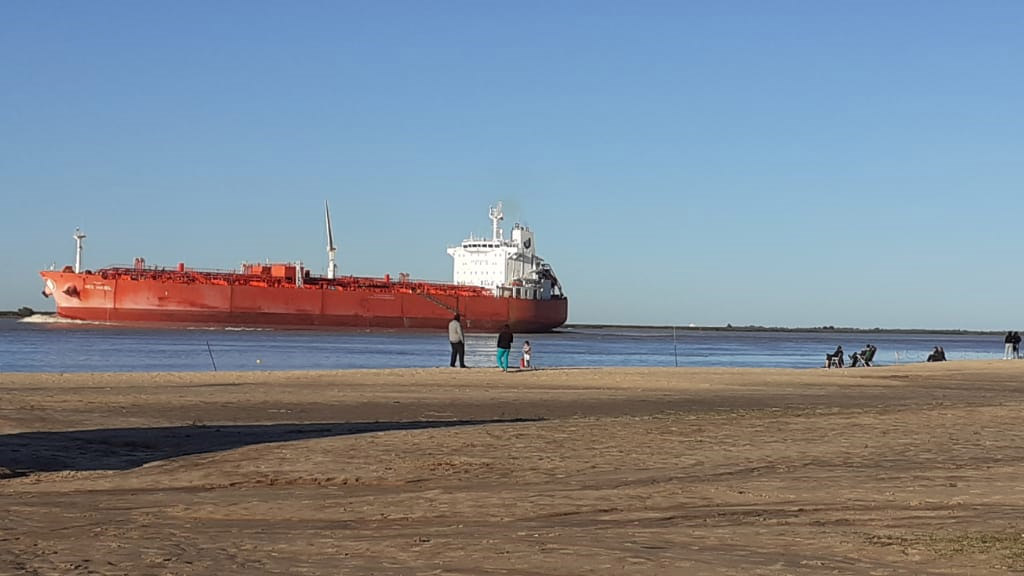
(509, 268)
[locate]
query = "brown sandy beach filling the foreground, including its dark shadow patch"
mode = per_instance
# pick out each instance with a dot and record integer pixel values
(910, 470)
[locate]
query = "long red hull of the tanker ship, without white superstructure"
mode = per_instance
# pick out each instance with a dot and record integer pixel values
(222, 301)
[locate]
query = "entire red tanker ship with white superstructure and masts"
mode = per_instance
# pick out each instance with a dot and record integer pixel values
(497, 281)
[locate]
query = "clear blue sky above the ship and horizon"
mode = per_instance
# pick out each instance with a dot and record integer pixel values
(785, 163)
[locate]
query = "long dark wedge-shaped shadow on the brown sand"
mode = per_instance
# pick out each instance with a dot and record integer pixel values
(121, 449)
